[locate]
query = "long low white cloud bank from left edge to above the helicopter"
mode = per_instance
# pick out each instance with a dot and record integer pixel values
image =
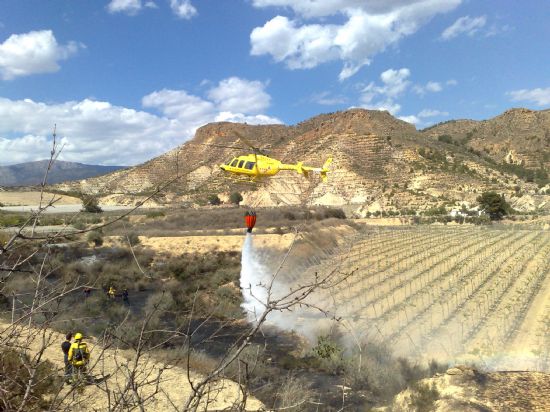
(100, 133)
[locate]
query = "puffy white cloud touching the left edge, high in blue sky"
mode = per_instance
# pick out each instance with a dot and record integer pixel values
(32, 53)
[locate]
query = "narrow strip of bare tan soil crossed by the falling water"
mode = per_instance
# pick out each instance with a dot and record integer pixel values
(204, 244)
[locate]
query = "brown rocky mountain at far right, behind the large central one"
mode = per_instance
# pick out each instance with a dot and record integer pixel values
(518, 136)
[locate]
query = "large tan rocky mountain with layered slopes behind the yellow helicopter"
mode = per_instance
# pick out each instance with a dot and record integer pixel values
(380, 164)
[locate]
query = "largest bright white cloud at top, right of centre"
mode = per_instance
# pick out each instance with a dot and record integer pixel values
(370, 28)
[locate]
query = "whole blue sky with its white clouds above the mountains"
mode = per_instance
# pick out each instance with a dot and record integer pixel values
(126, 80)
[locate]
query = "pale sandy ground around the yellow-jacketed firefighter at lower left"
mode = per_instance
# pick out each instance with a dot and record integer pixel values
(172, 392)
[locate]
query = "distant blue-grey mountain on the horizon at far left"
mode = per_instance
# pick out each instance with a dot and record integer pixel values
(32, 173)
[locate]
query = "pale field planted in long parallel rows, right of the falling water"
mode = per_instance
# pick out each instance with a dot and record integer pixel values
(471, 294)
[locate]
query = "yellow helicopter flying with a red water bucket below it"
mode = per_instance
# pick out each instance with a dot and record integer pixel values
(258, 164)
